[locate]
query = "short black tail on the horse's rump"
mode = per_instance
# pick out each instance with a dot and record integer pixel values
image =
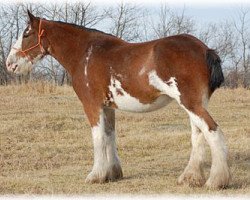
(214, 66)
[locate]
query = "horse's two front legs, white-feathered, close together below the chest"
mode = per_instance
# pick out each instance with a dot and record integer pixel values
(106, 161)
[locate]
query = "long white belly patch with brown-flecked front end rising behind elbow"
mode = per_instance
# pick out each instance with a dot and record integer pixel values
(126, 102)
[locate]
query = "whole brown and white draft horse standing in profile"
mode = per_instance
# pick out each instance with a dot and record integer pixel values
(109, 73)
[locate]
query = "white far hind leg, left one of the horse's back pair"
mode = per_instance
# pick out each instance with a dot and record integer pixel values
(193, 174)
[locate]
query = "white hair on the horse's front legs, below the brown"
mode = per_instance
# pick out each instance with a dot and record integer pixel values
(105, 153)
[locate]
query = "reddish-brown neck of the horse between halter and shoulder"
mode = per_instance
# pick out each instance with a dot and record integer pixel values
(67, 43)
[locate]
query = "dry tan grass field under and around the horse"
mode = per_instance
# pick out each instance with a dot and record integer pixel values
(46, 145)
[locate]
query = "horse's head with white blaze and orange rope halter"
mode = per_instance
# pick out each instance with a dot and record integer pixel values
(30, 47)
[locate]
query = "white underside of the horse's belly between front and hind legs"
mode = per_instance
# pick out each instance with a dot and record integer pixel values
(129, 103)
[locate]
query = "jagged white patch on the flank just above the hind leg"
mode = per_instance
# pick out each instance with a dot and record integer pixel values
(169, 88)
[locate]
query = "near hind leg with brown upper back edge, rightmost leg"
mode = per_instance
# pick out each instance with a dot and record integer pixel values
(219, 174)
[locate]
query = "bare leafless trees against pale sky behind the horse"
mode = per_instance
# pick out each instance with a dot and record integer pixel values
(133, 23)
